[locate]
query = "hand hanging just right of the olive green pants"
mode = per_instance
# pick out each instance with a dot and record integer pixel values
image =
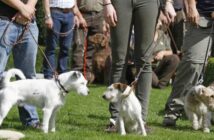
(169, 12)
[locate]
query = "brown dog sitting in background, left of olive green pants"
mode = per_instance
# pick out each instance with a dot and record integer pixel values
(102, 57)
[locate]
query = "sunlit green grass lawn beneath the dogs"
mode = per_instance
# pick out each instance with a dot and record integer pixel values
(85, 118)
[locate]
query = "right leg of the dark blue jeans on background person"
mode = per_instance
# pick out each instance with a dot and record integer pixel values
(65, 42)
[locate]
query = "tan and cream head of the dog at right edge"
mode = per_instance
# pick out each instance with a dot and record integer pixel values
(206, 95)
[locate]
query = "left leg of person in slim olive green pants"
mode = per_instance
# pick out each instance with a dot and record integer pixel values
(119, 44)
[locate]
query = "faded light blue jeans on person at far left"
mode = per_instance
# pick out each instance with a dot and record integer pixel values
(24, 55)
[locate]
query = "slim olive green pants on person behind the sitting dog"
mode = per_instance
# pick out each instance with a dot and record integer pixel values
(142, 14)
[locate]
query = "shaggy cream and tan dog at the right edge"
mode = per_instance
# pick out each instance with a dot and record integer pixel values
(198, 104)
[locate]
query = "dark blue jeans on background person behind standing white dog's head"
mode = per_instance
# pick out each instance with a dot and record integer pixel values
(62, 22)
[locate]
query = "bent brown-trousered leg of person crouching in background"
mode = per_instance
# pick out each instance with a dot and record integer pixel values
(166, 69)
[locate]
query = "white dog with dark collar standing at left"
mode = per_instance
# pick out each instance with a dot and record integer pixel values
(47, 94)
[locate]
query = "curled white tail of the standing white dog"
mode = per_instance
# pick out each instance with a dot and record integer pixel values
(12, 73)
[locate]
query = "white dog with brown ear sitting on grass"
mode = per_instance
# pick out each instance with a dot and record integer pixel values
(130, 118)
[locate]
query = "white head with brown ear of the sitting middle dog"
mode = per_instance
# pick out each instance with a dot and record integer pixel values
(116, 92)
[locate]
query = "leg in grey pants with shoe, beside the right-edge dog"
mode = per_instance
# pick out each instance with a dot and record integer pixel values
(188, 71)
